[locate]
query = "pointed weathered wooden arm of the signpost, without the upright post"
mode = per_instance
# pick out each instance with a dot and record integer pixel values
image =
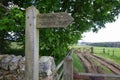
(54, 20)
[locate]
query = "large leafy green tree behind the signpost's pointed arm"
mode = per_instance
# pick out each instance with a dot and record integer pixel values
(88, 15)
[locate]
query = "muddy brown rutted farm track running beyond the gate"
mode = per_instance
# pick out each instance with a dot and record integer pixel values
(89, 62)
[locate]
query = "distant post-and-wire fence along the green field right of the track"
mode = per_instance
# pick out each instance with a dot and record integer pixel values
(100, 50)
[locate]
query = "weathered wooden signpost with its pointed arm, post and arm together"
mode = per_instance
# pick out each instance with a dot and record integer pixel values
(34, 21)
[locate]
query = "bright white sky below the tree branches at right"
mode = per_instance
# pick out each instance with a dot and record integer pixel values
(109, 34)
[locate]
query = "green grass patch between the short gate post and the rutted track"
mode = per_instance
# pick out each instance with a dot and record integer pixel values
(77, 63)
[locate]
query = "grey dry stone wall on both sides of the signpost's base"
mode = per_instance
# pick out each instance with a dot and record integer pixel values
(13, 67)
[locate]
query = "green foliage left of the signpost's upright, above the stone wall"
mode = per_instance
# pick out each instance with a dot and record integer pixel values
(11, 22)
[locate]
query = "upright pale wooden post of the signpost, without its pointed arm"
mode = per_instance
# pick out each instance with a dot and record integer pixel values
(31, 45)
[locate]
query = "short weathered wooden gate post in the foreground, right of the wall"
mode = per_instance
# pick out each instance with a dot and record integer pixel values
(68, 68)
